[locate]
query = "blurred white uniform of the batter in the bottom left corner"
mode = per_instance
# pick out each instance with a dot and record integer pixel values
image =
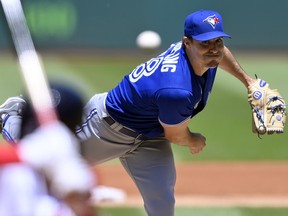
(23, 192)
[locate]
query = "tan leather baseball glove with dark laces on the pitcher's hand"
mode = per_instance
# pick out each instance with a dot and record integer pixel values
(268, 108)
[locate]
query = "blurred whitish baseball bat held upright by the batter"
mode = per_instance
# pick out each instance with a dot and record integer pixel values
(30, 66)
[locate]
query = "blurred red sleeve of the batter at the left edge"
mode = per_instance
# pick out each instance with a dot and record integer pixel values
(8, 154)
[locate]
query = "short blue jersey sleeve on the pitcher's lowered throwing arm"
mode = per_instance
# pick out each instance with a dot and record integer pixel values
(175, 105)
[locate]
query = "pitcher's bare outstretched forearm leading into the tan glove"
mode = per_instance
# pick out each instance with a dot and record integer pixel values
(230, 64)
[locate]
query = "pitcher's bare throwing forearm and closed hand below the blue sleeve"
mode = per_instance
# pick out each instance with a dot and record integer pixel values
(181, 135)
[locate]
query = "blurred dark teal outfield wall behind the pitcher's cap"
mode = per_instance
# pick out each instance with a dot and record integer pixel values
(112, 24)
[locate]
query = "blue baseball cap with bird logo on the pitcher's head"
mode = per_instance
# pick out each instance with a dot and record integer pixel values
(204, 25)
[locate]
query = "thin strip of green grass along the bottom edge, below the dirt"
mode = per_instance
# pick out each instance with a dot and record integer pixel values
(231, 211)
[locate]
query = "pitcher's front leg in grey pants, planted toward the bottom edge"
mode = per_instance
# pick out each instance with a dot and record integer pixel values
(152, 168)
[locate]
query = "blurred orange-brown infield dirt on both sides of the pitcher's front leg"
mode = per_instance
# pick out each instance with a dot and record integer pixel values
(215, 183)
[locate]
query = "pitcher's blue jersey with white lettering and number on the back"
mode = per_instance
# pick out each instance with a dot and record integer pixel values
(163, 89)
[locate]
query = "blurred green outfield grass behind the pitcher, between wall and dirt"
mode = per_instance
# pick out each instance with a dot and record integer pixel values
(226, 121)
